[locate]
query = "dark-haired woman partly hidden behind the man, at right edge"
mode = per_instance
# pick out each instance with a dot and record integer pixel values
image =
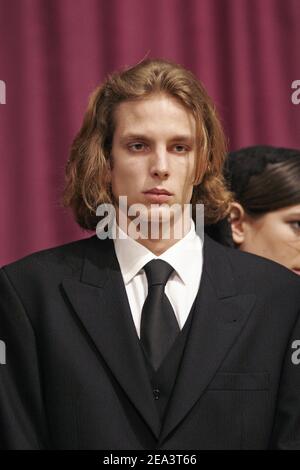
(265, 217)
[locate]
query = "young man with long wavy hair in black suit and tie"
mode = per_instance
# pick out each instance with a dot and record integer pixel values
(149, 342)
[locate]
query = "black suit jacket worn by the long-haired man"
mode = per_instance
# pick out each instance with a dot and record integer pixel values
(75, 377)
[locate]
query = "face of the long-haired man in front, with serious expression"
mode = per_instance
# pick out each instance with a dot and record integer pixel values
(153, 148)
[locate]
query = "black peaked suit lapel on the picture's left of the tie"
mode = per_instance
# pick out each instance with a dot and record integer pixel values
(101, 303)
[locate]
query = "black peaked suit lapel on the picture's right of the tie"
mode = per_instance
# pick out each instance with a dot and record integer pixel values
(220, 314)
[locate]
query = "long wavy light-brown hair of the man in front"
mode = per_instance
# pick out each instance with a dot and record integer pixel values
(87, 184)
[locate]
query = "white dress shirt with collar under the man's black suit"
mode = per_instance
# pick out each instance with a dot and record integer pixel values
(185, 256)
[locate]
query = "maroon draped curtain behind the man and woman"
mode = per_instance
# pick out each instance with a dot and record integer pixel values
(53, 53)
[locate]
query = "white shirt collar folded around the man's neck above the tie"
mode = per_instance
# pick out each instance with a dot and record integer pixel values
(183, 256)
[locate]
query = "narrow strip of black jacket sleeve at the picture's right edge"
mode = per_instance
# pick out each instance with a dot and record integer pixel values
(286, 431)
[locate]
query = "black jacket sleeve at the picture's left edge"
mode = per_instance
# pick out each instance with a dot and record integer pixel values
(22, 423)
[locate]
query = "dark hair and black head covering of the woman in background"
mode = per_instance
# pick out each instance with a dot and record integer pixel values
(262, 179)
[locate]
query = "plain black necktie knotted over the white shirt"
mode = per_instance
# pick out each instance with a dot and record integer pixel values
(159, 326)
